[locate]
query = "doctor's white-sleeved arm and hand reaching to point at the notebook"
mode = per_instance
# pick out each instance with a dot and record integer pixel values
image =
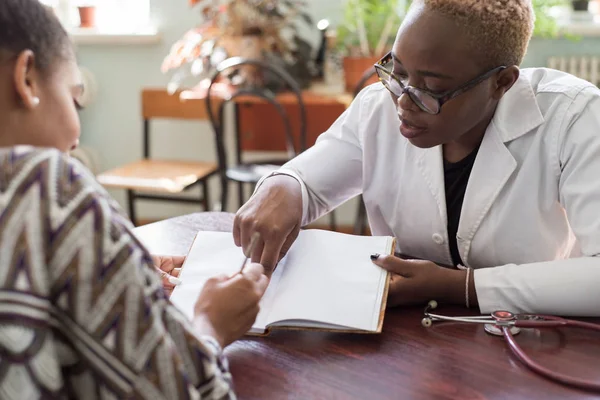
(307, 187)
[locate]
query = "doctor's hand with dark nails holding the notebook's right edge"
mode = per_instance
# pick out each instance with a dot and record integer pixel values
(417, 282)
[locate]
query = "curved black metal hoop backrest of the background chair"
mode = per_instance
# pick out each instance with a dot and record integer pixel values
(262, 94)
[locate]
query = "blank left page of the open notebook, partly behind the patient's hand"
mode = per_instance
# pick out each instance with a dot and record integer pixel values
(213, 254)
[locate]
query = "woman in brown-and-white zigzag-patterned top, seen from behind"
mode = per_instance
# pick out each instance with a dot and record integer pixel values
(83, 312)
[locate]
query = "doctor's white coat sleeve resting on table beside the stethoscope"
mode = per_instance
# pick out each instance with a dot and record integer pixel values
(564, 287)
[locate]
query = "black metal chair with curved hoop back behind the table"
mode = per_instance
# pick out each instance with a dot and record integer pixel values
(250, 172)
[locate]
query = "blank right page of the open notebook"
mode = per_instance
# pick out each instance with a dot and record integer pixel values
(329, 278)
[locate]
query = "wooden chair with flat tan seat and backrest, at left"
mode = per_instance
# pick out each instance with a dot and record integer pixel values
(161, 180)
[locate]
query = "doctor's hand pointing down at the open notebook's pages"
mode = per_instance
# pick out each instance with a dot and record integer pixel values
(275, 212)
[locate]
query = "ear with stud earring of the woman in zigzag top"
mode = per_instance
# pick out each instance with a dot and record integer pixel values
(27, 80)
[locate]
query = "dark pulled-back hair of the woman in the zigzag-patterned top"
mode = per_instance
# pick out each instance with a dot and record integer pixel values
(29, 25)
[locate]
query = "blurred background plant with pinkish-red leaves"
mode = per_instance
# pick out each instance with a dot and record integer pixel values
(257, 29)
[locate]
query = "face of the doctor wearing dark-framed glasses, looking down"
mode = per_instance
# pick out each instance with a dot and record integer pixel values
(433, 55)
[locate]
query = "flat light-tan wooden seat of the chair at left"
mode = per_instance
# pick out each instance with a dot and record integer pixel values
(157, 175)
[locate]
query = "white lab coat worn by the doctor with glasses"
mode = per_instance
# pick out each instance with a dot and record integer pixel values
(530, 222)
